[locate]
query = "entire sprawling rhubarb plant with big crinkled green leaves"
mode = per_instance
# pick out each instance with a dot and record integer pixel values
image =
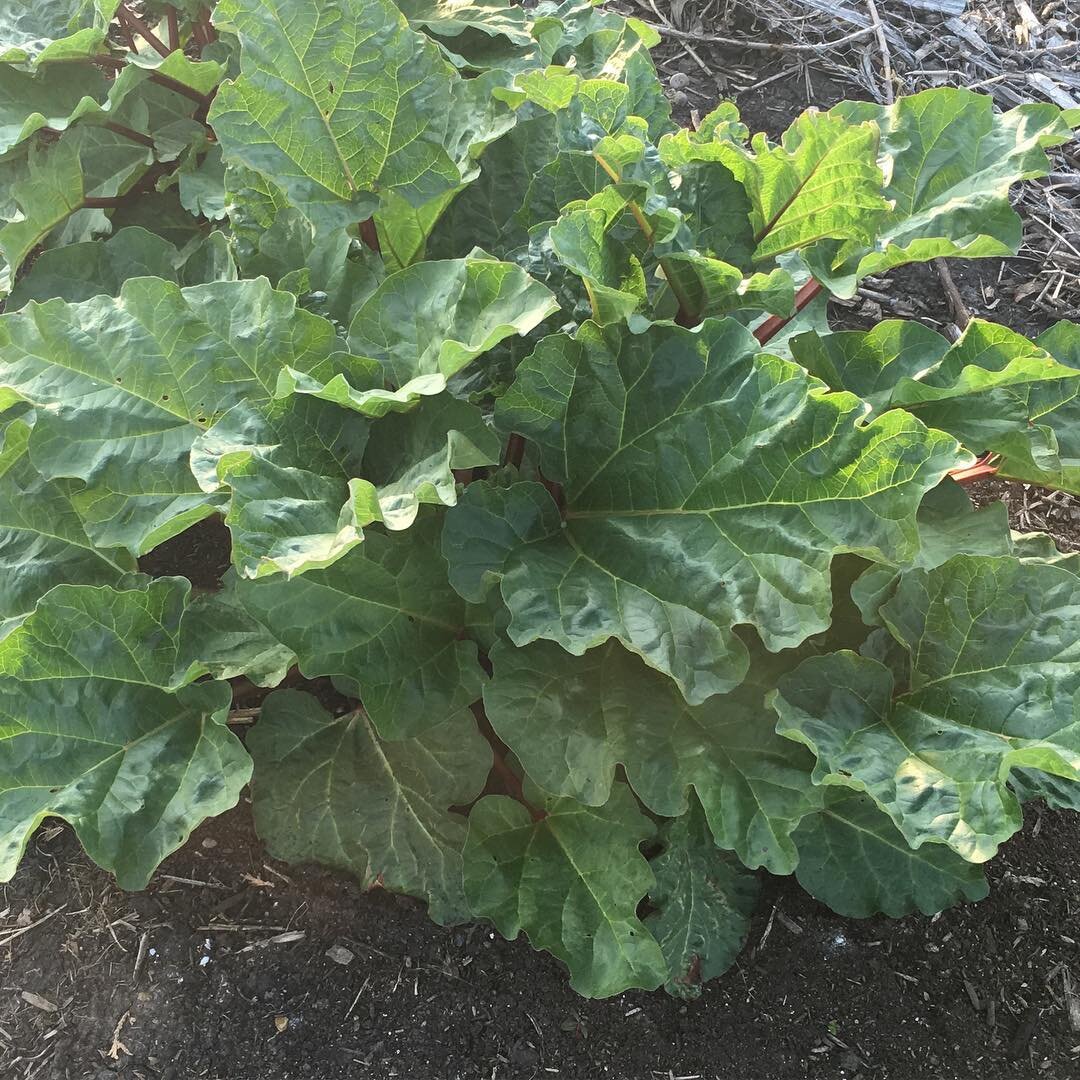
(622, 576)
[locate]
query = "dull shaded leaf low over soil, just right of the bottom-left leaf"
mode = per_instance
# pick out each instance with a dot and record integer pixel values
(330, 789)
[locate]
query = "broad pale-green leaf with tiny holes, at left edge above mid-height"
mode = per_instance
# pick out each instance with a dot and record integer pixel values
(124, 386)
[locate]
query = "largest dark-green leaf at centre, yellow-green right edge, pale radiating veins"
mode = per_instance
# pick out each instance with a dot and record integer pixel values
(705, 488)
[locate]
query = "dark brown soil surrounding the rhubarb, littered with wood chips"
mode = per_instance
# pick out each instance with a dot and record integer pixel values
(221, 970)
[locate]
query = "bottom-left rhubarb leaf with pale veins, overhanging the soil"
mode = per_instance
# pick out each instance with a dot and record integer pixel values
(90, 733)
